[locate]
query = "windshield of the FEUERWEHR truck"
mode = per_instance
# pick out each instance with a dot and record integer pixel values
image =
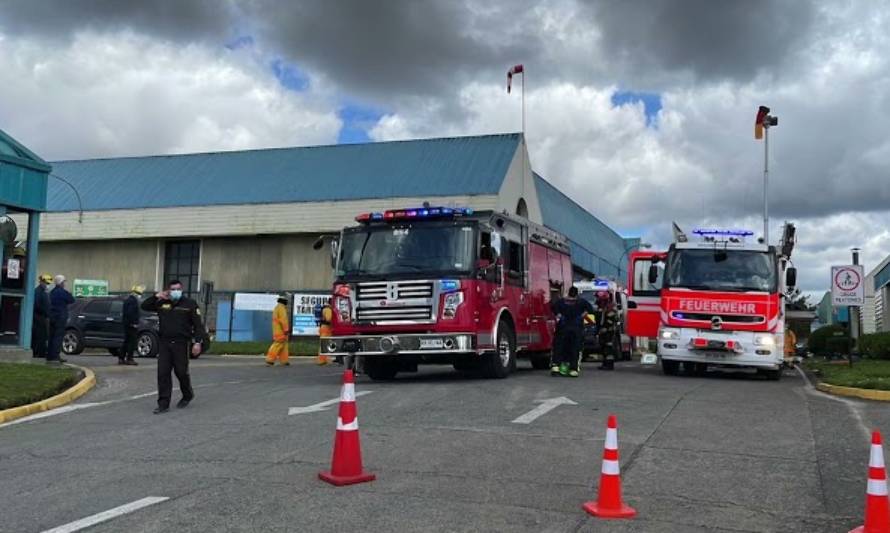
(721, 270)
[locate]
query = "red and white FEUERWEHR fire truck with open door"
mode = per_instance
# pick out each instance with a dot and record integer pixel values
(714, 299)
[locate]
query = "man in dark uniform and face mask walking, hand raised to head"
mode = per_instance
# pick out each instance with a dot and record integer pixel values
(181, 330)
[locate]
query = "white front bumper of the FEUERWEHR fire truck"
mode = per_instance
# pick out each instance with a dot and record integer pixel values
(738, 348)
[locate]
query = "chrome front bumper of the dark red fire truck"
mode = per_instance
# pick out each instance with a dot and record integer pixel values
(396, 344)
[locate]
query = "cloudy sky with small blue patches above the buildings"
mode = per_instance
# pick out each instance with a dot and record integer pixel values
(640, 110)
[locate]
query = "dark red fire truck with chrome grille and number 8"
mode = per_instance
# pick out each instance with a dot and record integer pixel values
(441, 285)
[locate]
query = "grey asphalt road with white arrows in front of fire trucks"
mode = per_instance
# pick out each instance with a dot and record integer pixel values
(716, 453)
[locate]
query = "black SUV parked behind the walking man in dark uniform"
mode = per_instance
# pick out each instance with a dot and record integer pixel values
(97, 322)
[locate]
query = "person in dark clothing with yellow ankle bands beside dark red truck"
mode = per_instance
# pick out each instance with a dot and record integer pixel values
(570, 312)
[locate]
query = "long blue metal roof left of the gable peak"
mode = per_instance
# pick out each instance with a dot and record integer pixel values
(428, 167)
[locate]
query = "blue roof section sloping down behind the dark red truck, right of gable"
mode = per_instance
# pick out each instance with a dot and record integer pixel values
(596, 248)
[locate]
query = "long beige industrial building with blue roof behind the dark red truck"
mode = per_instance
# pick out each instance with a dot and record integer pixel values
(246, 220)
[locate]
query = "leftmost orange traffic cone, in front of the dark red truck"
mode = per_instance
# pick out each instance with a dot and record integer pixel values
(346, 465)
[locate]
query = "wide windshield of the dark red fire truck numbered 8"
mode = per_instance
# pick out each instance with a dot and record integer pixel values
(427, 249)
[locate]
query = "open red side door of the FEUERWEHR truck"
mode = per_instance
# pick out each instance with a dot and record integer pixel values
(644, 296)
